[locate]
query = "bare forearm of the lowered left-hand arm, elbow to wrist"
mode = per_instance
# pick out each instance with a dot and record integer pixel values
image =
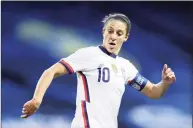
(42, 85)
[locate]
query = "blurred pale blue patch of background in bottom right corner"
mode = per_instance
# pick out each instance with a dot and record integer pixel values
(162, 116)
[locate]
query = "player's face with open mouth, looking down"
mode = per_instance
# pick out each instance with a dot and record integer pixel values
(114, 34)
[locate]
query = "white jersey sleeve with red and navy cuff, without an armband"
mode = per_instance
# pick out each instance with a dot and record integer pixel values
(78, 61)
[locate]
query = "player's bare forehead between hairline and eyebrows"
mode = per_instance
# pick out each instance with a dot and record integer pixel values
(116, 24)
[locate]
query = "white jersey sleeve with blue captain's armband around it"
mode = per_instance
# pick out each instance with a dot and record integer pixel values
(134, 78)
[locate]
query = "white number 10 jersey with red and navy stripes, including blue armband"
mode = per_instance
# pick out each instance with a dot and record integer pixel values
(101, 83)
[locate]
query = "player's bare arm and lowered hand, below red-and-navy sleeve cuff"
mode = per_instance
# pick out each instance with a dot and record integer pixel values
(44, 82)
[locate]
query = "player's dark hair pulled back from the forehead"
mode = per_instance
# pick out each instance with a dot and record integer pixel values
(118, 16)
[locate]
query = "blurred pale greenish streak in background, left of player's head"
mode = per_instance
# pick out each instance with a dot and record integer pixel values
(59, 41)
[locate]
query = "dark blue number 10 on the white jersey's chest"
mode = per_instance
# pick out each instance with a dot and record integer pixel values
(105, 73)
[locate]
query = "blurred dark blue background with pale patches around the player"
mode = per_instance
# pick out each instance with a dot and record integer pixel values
(36, 35)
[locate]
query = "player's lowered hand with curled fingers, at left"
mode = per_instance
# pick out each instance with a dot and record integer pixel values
(30, 108)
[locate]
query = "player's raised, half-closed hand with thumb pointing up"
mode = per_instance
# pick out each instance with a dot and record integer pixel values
(168, 76)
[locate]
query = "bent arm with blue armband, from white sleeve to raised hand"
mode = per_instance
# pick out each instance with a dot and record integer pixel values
(154, 91)
